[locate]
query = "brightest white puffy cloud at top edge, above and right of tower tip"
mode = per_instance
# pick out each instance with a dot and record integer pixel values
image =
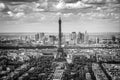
(63, 5)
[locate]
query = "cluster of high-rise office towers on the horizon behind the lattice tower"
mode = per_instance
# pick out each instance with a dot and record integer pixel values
(66, 38)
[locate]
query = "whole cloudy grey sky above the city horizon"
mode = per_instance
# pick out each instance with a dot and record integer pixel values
(43, 15)
